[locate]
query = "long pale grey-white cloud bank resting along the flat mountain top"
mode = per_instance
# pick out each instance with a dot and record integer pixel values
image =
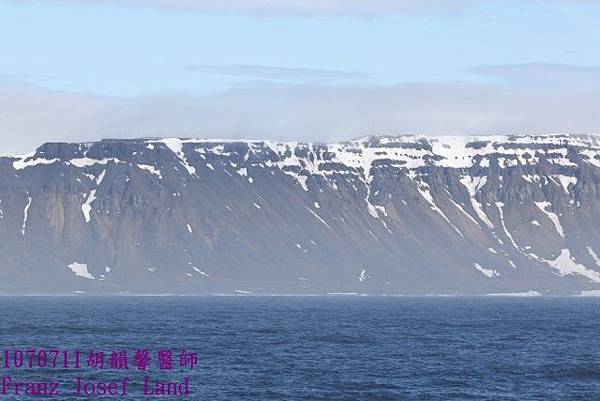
(30, 115)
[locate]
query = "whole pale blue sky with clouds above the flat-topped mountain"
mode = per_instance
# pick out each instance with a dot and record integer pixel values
(319, 70)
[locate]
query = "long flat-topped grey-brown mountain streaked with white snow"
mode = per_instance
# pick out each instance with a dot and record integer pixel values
(379, 215)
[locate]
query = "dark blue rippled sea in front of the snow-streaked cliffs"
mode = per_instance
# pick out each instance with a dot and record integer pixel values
(320, 348)
